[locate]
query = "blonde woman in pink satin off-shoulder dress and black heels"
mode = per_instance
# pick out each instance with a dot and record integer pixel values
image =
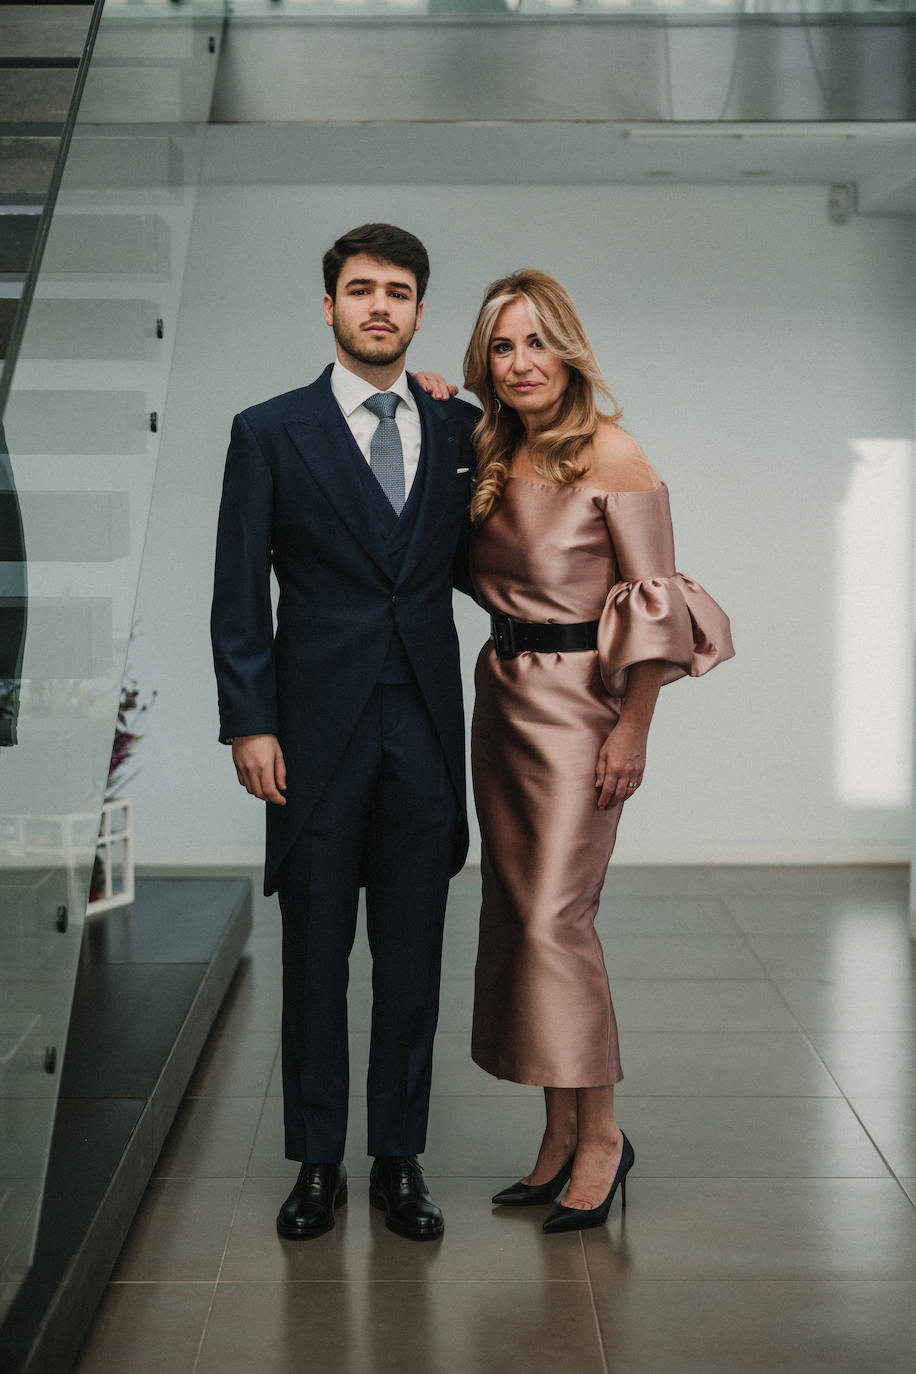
(572, 554)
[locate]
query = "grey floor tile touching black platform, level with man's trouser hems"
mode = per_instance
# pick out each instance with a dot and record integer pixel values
(211, 1138)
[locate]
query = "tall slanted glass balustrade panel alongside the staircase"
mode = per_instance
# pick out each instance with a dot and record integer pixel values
(83, 424)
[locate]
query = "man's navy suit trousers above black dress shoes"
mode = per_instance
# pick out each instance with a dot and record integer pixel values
(385, 822)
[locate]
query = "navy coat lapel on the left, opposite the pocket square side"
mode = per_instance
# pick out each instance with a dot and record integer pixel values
(326, 446)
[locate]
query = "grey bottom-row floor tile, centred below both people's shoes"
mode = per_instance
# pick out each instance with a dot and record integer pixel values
(403, 1329)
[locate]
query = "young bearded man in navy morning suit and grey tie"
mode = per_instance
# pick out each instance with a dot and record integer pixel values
(348, 721)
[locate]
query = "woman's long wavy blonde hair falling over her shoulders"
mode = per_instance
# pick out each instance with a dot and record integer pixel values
(556, 453)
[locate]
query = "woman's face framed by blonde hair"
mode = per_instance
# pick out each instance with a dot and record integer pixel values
(525, 374)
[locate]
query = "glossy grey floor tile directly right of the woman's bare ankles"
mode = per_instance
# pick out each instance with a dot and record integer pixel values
(748, 1138)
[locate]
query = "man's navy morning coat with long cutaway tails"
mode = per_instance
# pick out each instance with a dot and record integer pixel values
(295, 499)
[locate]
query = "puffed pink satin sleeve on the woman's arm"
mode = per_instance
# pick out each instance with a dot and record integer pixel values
(654, 612)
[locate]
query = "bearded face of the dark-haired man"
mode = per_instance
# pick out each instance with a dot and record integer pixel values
(376, 313)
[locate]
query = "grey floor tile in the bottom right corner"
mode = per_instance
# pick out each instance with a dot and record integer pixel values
(753, 1328)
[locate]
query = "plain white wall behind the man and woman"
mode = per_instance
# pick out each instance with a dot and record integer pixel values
(759, 352)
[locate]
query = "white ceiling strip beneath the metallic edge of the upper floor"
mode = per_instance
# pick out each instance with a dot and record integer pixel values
(878, 159)
